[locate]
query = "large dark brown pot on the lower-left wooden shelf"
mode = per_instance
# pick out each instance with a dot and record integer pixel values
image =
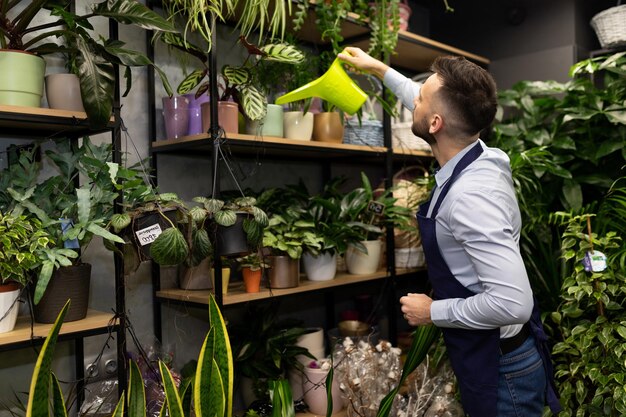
(68, 282)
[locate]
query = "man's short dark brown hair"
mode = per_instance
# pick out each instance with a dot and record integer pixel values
(468, 90)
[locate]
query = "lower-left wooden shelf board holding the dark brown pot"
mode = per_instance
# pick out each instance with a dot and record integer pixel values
(22, 333)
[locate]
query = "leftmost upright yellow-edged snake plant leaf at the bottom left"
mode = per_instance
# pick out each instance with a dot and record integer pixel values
(40, 381)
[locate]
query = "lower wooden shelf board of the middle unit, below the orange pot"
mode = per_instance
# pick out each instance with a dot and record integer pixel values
(237, 295)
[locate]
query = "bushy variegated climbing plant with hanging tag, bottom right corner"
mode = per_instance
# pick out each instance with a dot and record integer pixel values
(589, 359)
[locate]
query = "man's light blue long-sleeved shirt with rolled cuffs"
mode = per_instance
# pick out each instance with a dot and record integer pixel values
(478, 229)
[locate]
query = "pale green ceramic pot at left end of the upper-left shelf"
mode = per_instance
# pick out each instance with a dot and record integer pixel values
(22, 78)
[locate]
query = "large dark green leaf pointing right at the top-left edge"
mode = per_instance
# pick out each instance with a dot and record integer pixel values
(132, 12)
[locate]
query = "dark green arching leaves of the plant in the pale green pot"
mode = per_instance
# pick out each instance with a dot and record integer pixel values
(92, 59)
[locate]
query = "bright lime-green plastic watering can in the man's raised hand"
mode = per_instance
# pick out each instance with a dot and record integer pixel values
(335, 86)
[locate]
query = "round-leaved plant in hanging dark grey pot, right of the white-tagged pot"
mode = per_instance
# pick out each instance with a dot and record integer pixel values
(238, 223)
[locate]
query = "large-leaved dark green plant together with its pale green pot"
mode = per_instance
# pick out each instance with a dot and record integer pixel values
(93, 60)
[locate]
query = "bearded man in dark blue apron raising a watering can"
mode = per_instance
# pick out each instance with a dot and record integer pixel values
(470, 233)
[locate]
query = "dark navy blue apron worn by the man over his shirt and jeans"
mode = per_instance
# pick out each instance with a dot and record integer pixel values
(474, 353)
